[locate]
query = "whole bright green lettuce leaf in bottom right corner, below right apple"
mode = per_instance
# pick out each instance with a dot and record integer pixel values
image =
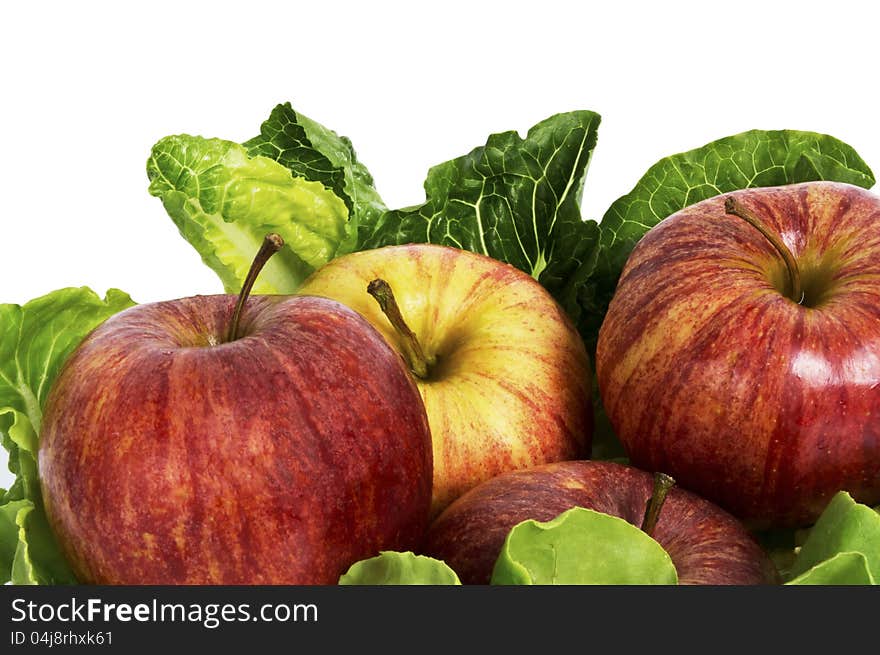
(844, 527)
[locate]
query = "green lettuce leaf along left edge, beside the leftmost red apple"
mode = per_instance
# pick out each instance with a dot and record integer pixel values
(35, 340)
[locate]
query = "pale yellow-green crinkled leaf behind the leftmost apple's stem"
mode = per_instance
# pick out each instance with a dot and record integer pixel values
(224, 201)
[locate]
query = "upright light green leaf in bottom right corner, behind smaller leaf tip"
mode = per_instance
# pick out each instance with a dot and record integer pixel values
(844, 527)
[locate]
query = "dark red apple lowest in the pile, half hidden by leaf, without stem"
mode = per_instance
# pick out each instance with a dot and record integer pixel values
(706, 544)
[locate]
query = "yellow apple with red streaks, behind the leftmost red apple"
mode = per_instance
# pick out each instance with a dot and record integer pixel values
(504, 376)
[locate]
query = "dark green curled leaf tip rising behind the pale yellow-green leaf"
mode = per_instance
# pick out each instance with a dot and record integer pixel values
(311, 151)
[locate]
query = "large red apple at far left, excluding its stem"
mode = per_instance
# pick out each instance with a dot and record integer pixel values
(279, 458)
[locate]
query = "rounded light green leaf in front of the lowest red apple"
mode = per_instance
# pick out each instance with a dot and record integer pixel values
(582, 546)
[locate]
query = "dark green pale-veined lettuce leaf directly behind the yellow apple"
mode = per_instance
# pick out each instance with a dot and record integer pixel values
(514, 199)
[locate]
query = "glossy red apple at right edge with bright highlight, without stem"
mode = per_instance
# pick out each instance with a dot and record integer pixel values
(709, 373)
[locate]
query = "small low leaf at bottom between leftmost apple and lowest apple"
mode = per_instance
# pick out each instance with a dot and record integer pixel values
(395, 568)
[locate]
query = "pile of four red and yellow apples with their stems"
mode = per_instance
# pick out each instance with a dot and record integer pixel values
(427, 398)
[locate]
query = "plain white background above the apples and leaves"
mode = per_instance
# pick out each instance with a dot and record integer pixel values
(87, 88)
